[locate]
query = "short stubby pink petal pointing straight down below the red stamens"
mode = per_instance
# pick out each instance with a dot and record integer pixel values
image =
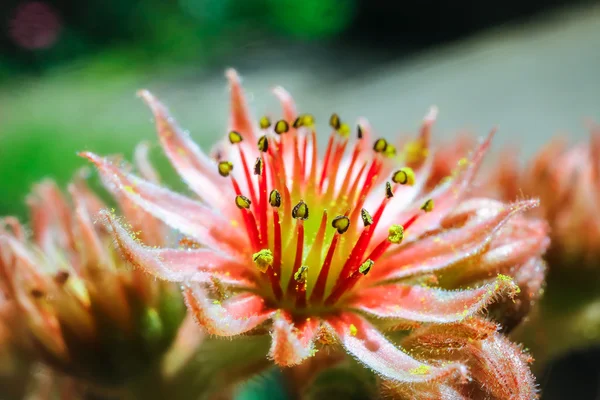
(293, 342)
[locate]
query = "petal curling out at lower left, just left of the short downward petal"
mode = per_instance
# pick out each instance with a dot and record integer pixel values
(234, 316)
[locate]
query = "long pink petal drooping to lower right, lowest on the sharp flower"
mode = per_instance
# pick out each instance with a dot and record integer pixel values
(370, 347)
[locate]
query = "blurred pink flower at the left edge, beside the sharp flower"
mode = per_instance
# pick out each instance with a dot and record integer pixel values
(88, 314)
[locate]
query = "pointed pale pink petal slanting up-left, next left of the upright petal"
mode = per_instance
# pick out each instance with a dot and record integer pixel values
(194, 166)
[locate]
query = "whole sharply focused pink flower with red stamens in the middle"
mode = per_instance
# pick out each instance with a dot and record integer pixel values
(332, 250)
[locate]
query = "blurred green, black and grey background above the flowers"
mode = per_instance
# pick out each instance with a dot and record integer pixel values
(69, 71)
